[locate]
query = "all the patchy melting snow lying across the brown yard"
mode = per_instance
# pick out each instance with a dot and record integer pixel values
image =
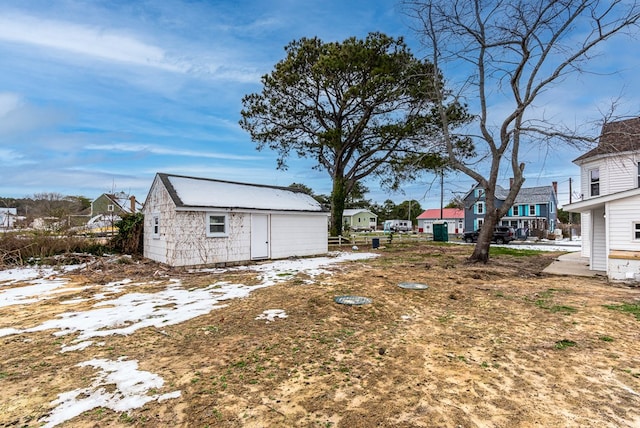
(119, 385)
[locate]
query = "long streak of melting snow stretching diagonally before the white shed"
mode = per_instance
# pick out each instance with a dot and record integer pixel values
(132, 311)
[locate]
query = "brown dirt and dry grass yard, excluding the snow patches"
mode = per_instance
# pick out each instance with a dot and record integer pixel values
(500, 345)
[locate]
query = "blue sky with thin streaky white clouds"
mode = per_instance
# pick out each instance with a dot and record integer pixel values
(98, 96)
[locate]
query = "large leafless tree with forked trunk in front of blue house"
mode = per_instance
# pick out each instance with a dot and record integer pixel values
(515, 50)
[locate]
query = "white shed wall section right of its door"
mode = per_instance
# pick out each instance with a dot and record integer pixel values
(298, 235)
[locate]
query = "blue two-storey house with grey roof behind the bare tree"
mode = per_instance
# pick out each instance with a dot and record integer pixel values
(534, 211)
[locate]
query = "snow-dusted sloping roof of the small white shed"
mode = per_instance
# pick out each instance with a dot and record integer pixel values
(194, 192)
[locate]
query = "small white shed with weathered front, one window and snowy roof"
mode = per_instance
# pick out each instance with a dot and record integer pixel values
(191, 221)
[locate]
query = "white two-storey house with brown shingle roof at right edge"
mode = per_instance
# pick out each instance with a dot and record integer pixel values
(610, 205)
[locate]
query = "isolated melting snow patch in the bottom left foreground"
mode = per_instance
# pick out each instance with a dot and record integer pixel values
(131, 388)
